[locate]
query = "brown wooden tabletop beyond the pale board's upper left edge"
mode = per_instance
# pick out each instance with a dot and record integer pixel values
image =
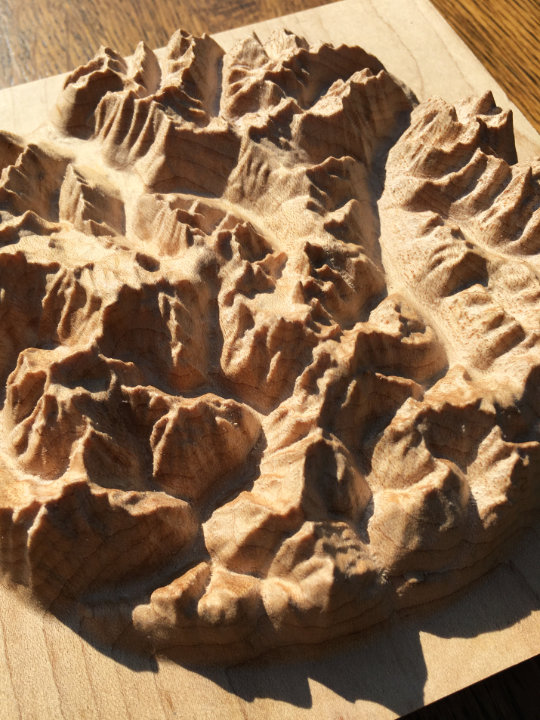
(41, 38)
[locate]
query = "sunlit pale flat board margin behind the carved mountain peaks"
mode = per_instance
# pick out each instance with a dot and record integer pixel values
(411, 39)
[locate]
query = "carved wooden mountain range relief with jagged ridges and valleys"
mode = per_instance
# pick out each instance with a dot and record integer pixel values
(270, 344)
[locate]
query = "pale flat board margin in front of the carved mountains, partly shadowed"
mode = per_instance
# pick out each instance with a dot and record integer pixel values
(49, 671)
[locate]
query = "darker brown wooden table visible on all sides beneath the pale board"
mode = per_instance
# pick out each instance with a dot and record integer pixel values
(46, 37)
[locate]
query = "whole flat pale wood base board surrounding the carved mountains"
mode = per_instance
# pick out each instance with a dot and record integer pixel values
(368, 679)
